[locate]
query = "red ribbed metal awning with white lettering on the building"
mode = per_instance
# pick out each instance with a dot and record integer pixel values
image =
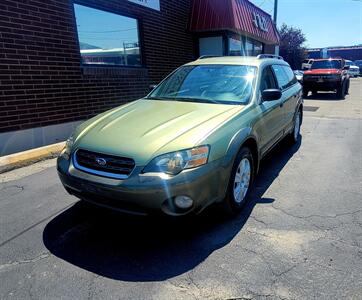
(239, 16)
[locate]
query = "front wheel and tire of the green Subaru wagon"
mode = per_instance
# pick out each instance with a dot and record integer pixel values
(243, 165)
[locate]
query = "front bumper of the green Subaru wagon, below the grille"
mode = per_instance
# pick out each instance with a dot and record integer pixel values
(148, 193)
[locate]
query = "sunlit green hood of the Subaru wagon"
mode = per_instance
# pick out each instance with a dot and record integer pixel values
(146, 128)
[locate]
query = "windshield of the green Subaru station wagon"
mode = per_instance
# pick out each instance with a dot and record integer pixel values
(225, 84)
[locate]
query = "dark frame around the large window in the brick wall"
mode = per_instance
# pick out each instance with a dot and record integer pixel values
(137, 18)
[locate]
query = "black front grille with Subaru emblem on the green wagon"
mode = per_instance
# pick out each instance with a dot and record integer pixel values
(103, 164)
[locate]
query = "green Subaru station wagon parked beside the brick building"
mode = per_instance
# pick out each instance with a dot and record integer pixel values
(196, 139)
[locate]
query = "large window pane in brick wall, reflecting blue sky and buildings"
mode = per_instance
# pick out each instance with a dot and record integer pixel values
(106, 38)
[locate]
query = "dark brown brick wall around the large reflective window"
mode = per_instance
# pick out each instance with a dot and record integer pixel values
(41, 80)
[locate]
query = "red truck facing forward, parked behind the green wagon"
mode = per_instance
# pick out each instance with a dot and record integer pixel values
(327, 75)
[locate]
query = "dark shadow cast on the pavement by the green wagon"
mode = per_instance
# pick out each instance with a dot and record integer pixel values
(131, 248)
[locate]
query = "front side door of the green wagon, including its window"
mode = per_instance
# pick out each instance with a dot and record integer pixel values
(268, 126)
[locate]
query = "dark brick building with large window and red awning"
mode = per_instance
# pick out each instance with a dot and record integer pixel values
(64, 61)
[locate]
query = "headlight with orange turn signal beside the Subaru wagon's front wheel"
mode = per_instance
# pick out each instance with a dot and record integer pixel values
(174, 162)
